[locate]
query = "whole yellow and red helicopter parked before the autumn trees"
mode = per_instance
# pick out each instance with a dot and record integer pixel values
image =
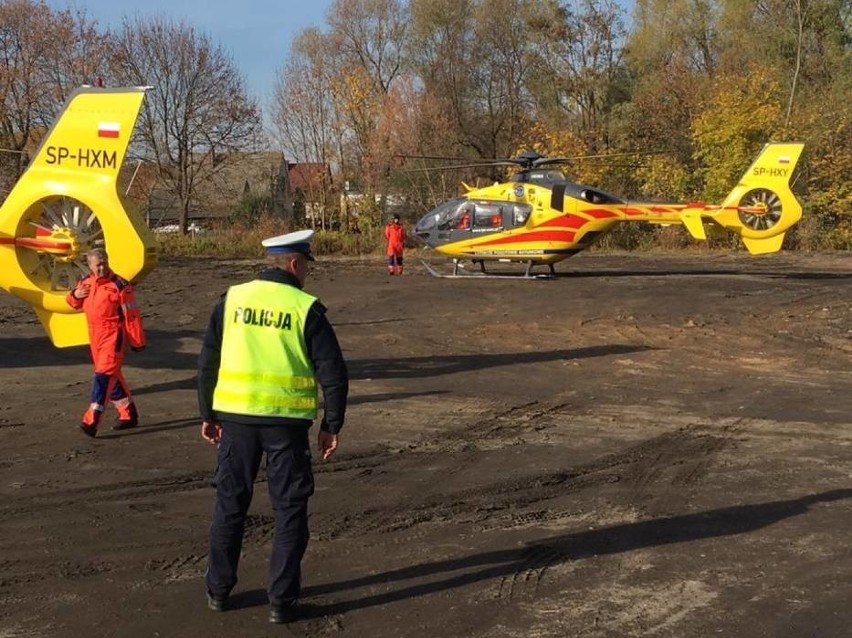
(539, 217)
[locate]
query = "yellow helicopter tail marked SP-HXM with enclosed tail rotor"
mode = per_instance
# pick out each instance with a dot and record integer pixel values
(66, 203)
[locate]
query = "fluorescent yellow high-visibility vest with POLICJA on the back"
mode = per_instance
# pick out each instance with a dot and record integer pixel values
(264, 368)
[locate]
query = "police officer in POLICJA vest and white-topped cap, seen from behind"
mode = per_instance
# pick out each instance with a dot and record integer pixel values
(267, 346)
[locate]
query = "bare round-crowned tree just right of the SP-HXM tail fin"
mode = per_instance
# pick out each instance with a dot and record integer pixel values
(198, 117)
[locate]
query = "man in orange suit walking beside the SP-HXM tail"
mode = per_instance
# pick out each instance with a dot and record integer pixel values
(114, 323)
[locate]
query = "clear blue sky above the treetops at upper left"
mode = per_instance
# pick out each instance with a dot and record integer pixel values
(257, 33)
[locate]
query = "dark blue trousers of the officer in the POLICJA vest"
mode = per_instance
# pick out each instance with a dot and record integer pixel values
(290, 482)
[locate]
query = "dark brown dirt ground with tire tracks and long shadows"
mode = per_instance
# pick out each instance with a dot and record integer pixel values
(647, 445)
